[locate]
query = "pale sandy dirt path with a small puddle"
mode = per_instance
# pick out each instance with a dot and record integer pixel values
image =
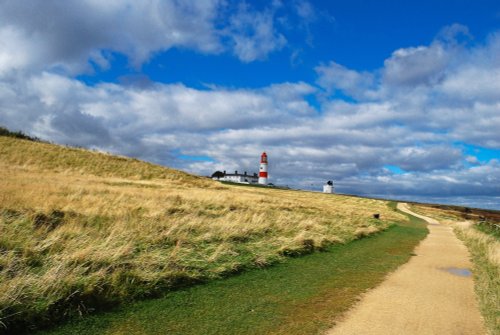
(431, 294)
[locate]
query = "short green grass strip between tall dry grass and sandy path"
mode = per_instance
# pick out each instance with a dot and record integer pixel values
(302, 295)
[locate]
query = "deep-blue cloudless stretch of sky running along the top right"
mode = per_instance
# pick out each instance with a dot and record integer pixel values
(341, 30)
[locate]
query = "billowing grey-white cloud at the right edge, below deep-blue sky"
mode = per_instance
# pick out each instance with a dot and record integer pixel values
(443, 88)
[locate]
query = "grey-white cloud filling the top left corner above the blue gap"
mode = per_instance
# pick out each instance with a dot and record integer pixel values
(78, 36)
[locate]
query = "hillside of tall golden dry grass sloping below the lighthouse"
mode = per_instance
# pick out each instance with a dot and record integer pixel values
(81, 230)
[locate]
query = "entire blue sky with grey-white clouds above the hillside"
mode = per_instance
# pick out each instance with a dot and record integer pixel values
(386, 98)
